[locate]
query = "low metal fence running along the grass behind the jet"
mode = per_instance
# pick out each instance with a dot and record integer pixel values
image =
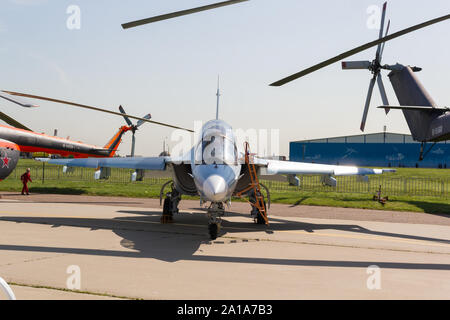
(390, 184)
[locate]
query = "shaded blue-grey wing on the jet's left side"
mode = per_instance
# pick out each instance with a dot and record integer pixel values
(146, 163)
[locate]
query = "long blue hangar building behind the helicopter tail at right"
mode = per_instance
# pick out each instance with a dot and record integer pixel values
(378, 149)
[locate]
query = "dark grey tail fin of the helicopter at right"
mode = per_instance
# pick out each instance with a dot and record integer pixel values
(410, 92)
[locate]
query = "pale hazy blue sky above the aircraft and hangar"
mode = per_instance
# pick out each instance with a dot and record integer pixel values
(170, 68)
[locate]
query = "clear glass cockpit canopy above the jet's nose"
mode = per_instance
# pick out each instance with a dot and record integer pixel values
(217, 144)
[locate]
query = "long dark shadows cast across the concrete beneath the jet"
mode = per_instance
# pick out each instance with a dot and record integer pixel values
(148, 238)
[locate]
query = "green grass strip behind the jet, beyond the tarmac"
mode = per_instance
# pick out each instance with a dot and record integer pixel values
(407, 188)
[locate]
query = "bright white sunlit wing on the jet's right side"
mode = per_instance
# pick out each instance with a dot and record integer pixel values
(289, 167)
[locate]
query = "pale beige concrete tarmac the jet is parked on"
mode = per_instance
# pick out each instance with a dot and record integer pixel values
(116, 248)
